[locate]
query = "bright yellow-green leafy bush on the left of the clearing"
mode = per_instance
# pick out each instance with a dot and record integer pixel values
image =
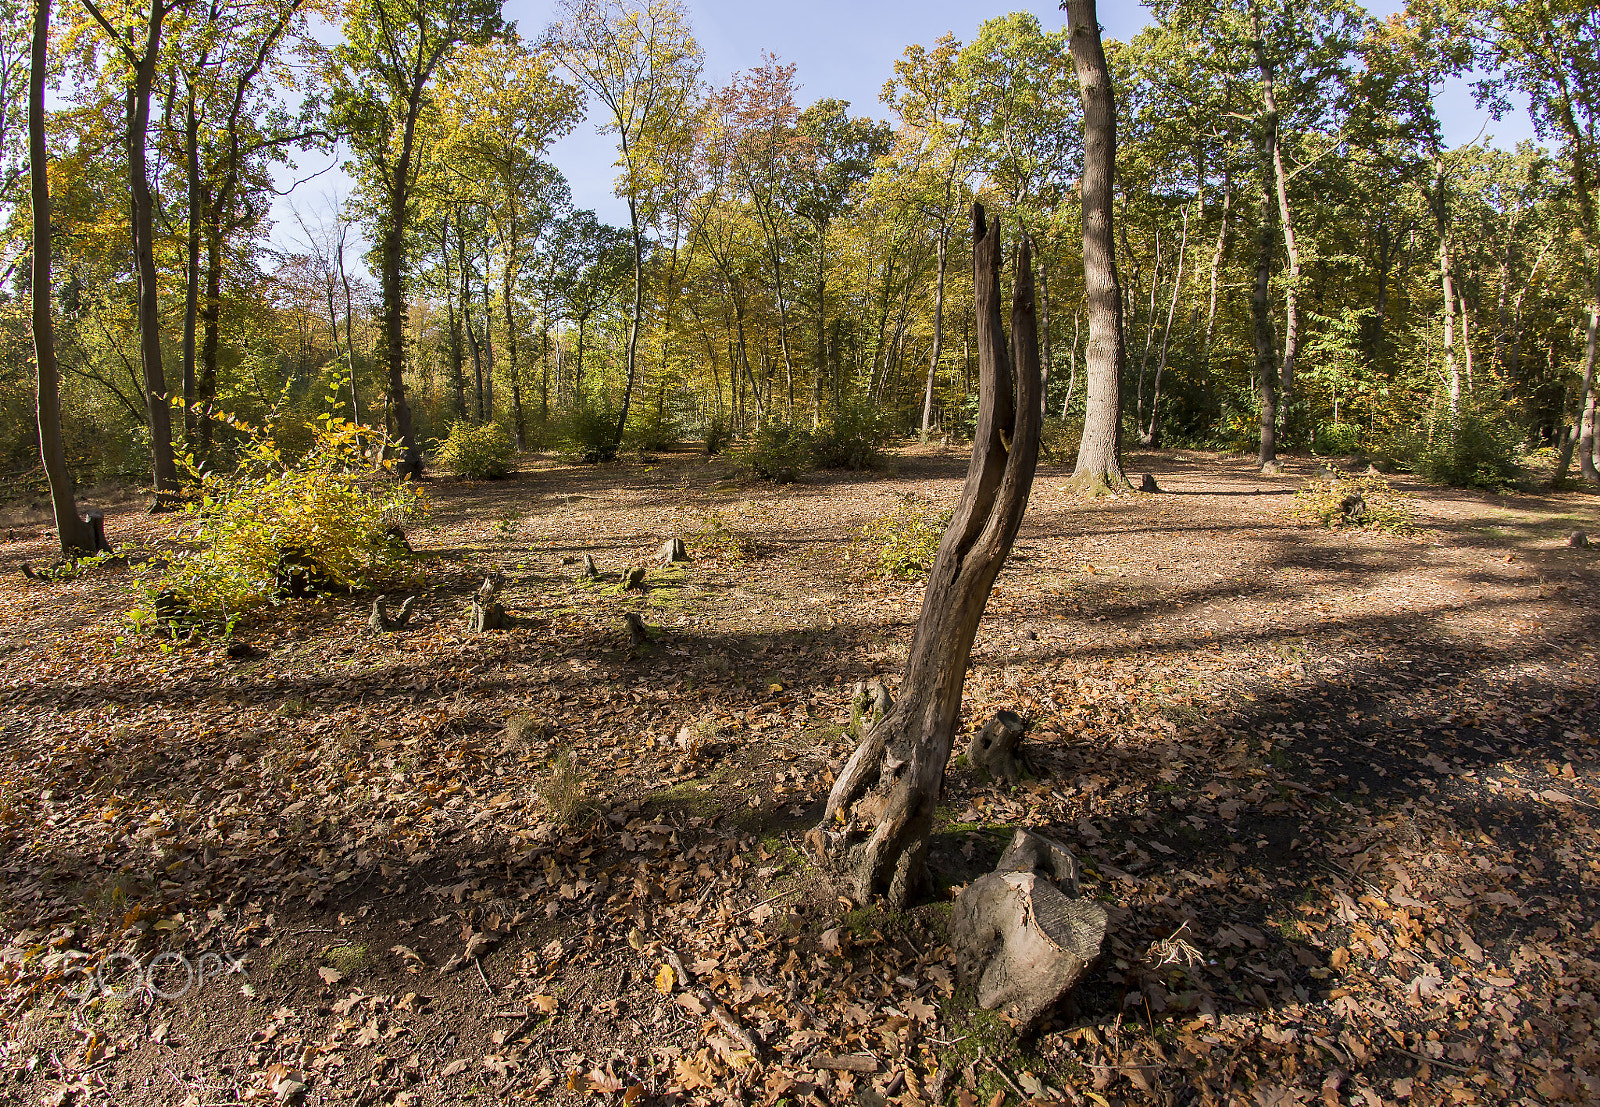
(326, 513)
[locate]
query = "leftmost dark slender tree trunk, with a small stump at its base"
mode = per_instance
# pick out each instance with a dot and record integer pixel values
(71, 532)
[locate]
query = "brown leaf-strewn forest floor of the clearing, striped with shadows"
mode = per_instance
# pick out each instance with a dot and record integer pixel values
(1353, 777)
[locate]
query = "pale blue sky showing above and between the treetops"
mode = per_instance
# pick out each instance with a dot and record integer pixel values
(846, 50)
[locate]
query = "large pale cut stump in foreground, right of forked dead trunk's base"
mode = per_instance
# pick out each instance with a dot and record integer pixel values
(1022, 932)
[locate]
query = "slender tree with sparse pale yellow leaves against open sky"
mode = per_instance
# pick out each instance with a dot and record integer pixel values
(641, 62)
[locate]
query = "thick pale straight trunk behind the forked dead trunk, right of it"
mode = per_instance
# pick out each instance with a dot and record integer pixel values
(1100, 450)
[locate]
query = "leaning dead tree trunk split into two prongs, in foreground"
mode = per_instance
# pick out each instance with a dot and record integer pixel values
(881, 812)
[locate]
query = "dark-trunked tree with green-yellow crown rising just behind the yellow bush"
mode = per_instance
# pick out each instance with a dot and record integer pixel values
(391, 52)
